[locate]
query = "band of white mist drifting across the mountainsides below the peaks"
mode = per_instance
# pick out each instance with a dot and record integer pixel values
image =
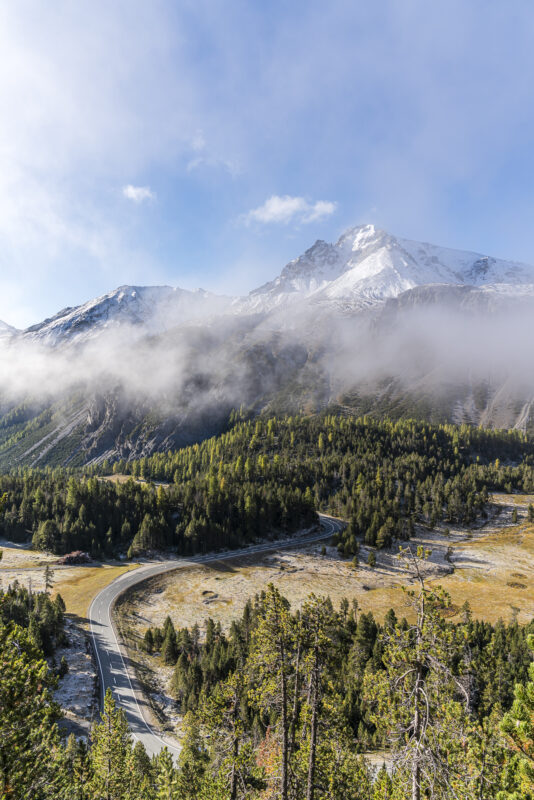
(247, 360)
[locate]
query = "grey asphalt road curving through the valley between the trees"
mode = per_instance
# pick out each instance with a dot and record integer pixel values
(115, 670)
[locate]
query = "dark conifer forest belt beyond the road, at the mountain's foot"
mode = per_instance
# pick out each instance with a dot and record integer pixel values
(269, 476)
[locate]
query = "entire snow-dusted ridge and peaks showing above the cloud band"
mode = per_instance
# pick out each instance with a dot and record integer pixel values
(366, 266)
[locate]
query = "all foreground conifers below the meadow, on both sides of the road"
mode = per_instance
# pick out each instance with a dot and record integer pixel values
(283, 707)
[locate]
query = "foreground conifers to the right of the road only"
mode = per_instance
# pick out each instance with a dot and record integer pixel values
(283, 705)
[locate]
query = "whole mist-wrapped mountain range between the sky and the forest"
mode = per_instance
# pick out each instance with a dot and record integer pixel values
(370, 324)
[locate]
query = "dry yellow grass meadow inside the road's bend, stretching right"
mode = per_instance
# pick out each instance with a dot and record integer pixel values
(493, 571)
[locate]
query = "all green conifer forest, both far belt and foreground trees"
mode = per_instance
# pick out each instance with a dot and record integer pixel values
(286, 702)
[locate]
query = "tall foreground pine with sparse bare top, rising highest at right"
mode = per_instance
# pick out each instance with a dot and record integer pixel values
(416, 697)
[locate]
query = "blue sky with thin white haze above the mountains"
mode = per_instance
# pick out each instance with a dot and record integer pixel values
(206, 143)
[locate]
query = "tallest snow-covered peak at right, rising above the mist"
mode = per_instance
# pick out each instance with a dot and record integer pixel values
(368, 265)
